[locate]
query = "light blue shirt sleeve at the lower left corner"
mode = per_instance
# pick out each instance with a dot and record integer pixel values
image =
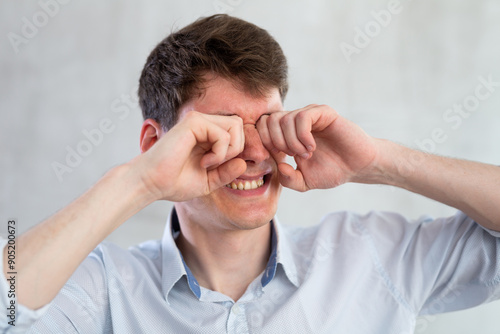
(82, 305)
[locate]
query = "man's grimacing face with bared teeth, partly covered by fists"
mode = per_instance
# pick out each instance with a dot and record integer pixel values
(254, 201)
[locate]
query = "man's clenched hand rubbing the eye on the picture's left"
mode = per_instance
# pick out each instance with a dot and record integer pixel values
(194, 158)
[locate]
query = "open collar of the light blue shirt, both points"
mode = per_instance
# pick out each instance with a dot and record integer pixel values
(174, 267)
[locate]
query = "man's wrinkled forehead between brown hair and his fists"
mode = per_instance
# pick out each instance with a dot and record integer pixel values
(223, 97)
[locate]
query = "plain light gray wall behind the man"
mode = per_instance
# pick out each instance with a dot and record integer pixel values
(79, 64)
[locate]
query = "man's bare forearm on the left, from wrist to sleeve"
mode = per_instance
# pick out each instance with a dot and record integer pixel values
(50, 252)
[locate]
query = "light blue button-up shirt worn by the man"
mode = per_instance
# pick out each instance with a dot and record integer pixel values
(350, 274)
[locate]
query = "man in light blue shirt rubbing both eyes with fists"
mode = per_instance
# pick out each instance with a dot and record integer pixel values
(214, 141)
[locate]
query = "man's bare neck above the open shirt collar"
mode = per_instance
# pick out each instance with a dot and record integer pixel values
(226, 261)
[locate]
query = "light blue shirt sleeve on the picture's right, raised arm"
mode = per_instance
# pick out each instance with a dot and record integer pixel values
(438, 265)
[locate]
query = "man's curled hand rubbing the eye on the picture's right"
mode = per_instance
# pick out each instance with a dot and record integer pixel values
(328, 149)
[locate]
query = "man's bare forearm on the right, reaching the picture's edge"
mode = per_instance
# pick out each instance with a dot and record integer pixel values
(471, 187)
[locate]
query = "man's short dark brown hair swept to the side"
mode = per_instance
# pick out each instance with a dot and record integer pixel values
(227, 46)
